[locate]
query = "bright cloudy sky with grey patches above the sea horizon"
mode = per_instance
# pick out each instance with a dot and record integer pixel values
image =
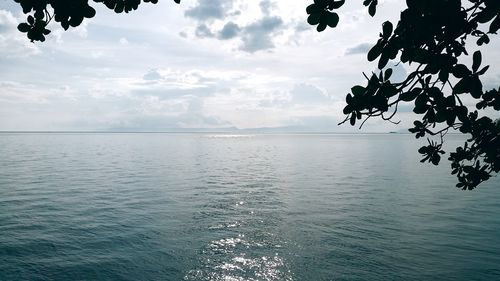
(203, 64)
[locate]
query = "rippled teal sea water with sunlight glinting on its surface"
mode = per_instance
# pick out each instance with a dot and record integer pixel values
(238, 207)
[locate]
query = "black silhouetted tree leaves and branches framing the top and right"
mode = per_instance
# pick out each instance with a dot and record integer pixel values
(430, 36)
